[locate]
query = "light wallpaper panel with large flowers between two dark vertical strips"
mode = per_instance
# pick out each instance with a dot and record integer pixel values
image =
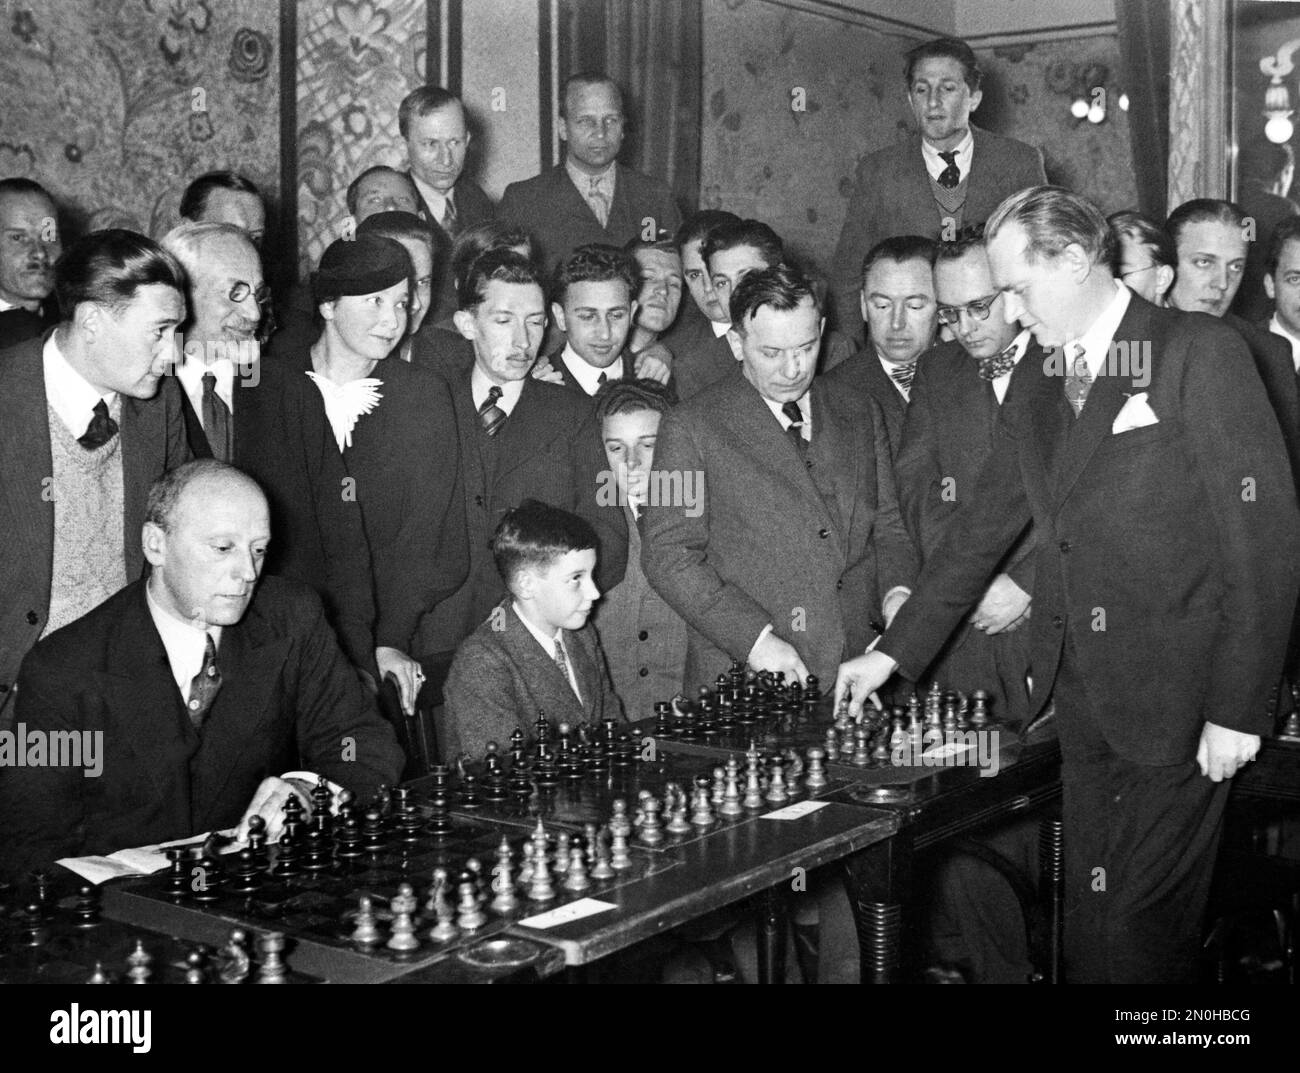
(356, 63)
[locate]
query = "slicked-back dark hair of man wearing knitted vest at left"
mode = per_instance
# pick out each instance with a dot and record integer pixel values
(110, 267)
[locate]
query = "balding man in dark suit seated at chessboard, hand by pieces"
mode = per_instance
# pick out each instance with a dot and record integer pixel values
(198, 696)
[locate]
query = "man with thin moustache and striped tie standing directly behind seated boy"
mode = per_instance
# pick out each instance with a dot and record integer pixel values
(519, 439)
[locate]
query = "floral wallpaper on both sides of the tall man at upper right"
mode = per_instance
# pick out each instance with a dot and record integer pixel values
(761, 157)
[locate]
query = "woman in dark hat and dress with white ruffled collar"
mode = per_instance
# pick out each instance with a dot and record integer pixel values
(396, 429)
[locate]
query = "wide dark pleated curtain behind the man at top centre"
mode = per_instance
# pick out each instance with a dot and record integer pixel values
(653, 50)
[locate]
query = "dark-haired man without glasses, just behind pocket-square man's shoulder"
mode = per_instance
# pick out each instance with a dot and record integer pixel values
(1210, 237)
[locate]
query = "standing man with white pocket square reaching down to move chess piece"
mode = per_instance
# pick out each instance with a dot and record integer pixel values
(1167, 546)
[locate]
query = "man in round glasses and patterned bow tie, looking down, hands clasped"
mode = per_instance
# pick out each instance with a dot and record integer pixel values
(947, 435)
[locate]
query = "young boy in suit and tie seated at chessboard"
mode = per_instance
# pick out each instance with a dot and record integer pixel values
(536, 654)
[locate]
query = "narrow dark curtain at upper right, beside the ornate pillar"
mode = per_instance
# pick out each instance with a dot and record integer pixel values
(1145, 58)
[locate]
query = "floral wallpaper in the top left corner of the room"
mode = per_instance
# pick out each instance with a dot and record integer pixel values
(116, 105)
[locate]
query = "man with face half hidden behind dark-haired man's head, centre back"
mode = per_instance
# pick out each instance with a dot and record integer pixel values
(701, 352)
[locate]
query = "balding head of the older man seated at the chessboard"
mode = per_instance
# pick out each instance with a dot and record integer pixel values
(206, 535)
